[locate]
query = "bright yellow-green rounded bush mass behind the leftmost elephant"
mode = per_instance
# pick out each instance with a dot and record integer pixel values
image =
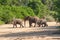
(8, 12)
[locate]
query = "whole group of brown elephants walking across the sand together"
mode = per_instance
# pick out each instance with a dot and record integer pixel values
(37, 21)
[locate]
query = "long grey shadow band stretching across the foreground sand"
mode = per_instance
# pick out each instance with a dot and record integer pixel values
(24, 34)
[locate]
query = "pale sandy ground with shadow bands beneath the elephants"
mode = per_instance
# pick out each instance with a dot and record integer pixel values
(7, 32)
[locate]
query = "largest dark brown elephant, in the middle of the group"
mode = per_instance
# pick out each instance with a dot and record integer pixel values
(31, 20)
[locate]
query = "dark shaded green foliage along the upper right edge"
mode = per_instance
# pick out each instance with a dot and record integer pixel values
(56, 9)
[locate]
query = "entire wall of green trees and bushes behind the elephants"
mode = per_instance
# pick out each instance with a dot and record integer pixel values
(21, 8)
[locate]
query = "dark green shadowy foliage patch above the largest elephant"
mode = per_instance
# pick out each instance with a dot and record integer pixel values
(35, 6)
